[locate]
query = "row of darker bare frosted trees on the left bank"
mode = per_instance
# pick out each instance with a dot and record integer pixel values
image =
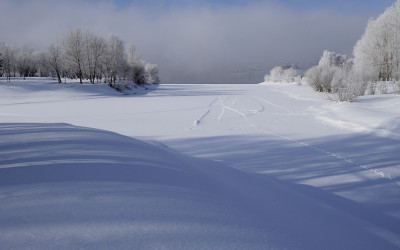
(80, 55)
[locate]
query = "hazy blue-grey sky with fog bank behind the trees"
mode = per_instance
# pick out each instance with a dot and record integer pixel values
(209, 41)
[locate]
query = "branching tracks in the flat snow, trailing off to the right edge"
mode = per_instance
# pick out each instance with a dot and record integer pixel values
(223, 102)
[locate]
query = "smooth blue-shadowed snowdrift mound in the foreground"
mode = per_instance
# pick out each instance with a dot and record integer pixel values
(63, 187)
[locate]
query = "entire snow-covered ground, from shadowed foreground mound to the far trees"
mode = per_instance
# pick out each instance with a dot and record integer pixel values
(269, 166)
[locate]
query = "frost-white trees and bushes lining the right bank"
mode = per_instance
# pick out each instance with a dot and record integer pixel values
(375, 65)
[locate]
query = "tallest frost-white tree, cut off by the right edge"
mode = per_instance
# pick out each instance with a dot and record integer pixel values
(377, 53)
